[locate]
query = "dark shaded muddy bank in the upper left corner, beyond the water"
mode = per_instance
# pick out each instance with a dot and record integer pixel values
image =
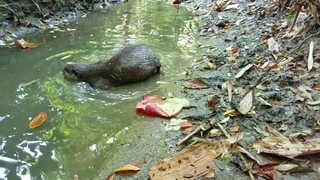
(20, 18)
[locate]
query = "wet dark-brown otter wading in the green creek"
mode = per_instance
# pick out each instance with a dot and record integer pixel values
(135, 62)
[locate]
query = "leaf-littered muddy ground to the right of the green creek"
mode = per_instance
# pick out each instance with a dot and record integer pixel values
(257, 82)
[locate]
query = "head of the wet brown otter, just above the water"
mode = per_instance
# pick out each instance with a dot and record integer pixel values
(74, 71)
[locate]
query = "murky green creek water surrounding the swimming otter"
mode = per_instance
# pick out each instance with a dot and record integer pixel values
(84, 128)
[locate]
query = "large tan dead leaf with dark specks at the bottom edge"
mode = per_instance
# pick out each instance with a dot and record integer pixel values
(192, 162)
